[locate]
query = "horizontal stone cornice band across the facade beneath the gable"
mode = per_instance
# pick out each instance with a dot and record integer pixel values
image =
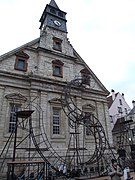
(45, 84)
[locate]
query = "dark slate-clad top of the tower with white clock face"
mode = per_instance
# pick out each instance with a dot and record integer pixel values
(53, 17)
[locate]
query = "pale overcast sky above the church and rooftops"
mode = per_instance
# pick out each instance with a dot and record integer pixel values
(101, 31)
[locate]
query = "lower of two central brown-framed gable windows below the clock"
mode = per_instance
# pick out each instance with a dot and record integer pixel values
(57, 68)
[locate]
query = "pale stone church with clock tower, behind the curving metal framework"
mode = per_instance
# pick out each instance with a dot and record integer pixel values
(32, 77)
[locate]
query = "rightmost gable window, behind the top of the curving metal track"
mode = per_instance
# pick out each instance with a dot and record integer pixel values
(85, 76)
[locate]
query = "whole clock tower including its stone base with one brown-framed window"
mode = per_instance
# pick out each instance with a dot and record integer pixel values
(53, 31)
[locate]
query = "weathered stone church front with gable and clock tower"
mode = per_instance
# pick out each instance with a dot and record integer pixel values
(33, 77)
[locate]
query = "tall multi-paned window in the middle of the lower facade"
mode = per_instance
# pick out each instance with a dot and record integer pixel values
(56, 121)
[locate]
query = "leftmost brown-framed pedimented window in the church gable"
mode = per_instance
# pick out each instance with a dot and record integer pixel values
(21, 61)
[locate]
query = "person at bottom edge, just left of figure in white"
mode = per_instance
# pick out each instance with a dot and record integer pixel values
(115, 172)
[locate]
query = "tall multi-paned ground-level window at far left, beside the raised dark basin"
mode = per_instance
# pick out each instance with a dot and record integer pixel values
(12, 121)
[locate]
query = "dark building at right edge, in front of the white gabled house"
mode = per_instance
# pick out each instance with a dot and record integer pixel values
(124, 138)
